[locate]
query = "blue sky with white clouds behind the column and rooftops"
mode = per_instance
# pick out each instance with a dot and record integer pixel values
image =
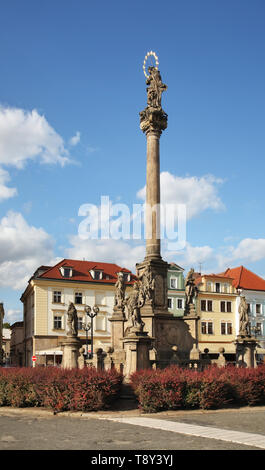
(78, 66)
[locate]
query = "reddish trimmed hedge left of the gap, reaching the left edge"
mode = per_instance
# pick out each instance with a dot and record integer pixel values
(59, 389)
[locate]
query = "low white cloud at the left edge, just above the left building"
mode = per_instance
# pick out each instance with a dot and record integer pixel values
(23, 249)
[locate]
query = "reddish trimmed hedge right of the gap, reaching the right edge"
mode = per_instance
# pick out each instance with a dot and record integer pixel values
(176, 388)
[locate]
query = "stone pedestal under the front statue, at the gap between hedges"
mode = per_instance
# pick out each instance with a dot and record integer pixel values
(136, 346)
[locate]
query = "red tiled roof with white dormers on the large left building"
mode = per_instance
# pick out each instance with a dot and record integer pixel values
(81, 271)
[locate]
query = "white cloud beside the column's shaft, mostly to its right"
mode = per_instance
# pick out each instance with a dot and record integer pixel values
(197, 193)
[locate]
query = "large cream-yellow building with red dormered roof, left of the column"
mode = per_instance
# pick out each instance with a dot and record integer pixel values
(46, 300)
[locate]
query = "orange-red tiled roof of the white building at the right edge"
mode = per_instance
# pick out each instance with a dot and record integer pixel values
(245, 279)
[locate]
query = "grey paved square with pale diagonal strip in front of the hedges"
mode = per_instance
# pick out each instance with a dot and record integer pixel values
(35, 429)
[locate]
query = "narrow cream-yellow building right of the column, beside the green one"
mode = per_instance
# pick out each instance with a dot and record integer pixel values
(217, 310)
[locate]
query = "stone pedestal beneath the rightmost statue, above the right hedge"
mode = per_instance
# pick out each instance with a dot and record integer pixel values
(245, 351)
